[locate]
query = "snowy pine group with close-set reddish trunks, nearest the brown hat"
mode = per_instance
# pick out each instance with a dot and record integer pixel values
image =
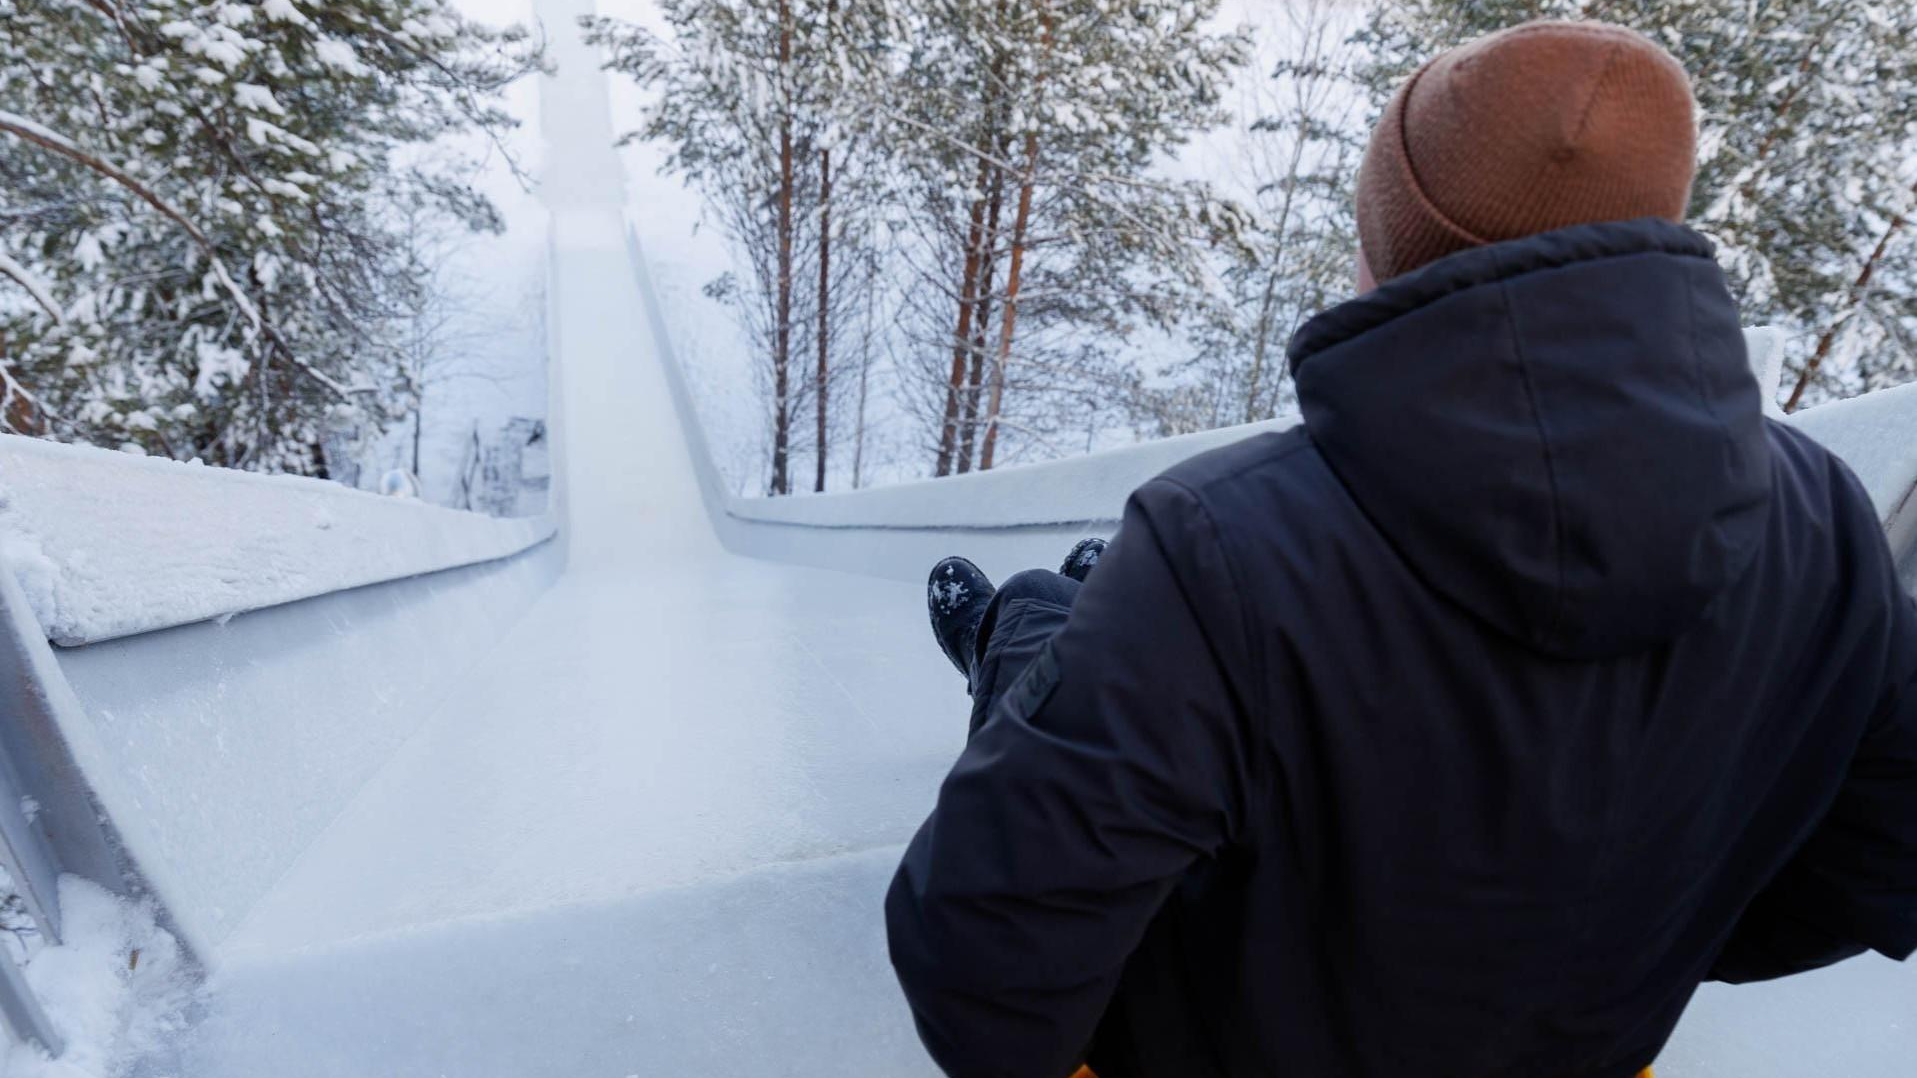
(1025, 139)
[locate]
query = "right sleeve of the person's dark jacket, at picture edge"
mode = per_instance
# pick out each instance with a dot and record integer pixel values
(1853, 887)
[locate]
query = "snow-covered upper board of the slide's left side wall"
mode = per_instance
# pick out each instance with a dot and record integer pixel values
(108, 544)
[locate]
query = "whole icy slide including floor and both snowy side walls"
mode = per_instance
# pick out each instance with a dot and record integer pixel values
(622, 803)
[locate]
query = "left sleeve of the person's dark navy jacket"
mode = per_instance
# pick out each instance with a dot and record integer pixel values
(1101, 776)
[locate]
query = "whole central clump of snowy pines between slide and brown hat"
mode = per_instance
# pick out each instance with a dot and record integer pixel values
(982, 172)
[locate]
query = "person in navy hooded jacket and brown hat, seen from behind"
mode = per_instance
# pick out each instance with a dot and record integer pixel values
(1469, 726)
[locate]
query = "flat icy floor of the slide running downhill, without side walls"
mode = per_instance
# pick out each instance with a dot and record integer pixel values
(651, 832)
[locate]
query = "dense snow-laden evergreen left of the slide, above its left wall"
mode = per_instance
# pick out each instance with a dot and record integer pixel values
(204, 202)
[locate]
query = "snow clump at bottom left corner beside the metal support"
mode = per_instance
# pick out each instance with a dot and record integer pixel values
(116, 989)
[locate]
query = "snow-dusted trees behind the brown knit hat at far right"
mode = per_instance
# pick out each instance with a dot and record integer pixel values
(1807, 179)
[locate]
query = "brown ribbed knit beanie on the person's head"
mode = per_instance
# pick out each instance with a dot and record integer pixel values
(1531, 129)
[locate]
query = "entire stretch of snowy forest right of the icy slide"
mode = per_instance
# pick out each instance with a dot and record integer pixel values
(971, 231)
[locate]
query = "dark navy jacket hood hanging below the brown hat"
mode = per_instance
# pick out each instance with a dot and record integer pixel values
(1559, 434)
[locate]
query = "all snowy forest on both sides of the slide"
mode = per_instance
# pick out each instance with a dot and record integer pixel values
(965, 233)
